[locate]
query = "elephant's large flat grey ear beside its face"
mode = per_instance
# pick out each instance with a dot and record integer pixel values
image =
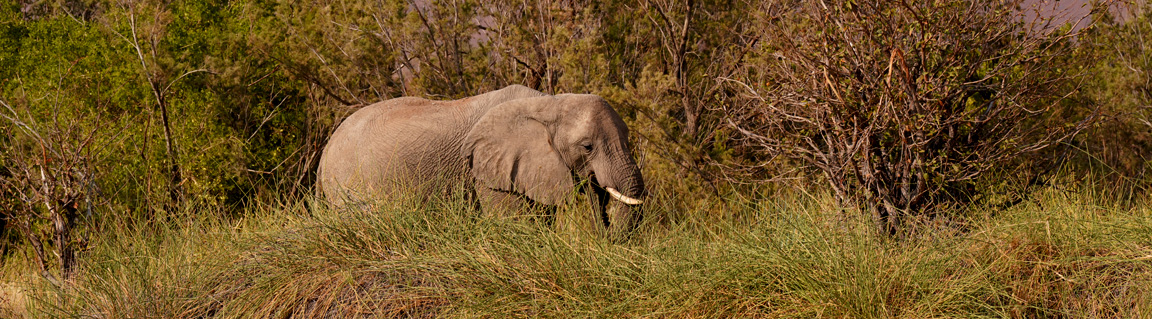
(511, 149)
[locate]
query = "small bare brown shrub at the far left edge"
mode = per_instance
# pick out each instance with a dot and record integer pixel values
(51, 178)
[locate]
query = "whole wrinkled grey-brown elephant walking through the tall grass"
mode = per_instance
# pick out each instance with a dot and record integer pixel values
(516, 147)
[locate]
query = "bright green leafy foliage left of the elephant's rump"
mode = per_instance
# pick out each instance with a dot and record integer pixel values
(230, 133)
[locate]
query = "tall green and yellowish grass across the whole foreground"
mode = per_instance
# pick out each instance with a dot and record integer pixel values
(1063, 255)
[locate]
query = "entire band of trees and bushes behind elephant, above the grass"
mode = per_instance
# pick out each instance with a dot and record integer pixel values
(128, 111)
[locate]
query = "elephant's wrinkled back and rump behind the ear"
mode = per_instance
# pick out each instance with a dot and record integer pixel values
(406, 145)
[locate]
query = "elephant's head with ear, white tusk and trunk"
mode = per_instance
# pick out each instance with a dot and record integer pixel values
(542, 147)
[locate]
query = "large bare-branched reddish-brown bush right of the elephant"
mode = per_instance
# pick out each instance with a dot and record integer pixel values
(903, 105)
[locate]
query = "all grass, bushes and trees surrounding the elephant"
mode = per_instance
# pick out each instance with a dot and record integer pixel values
(157, 159)
